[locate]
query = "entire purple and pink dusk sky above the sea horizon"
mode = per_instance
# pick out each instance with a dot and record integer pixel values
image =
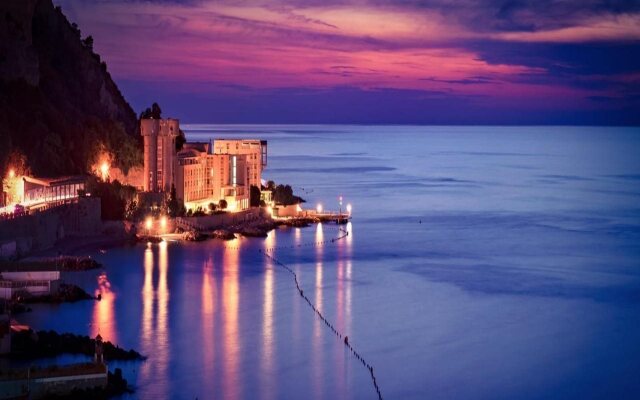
(373, 61)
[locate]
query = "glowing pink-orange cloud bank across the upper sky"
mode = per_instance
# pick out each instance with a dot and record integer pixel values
(312, 47)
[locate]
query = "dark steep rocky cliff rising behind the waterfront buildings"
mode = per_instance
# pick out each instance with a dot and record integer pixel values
(58, 104)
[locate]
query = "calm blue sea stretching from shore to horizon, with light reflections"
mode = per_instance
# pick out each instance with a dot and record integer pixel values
(483, 262)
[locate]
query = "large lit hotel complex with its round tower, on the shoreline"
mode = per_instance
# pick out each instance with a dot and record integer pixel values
(203, 173)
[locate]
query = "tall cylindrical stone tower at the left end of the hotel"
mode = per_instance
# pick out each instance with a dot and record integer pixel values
(159, 153)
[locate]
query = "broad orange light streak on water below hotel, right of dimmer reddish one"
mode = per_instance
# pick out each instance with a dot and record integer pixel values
(230, 302)
